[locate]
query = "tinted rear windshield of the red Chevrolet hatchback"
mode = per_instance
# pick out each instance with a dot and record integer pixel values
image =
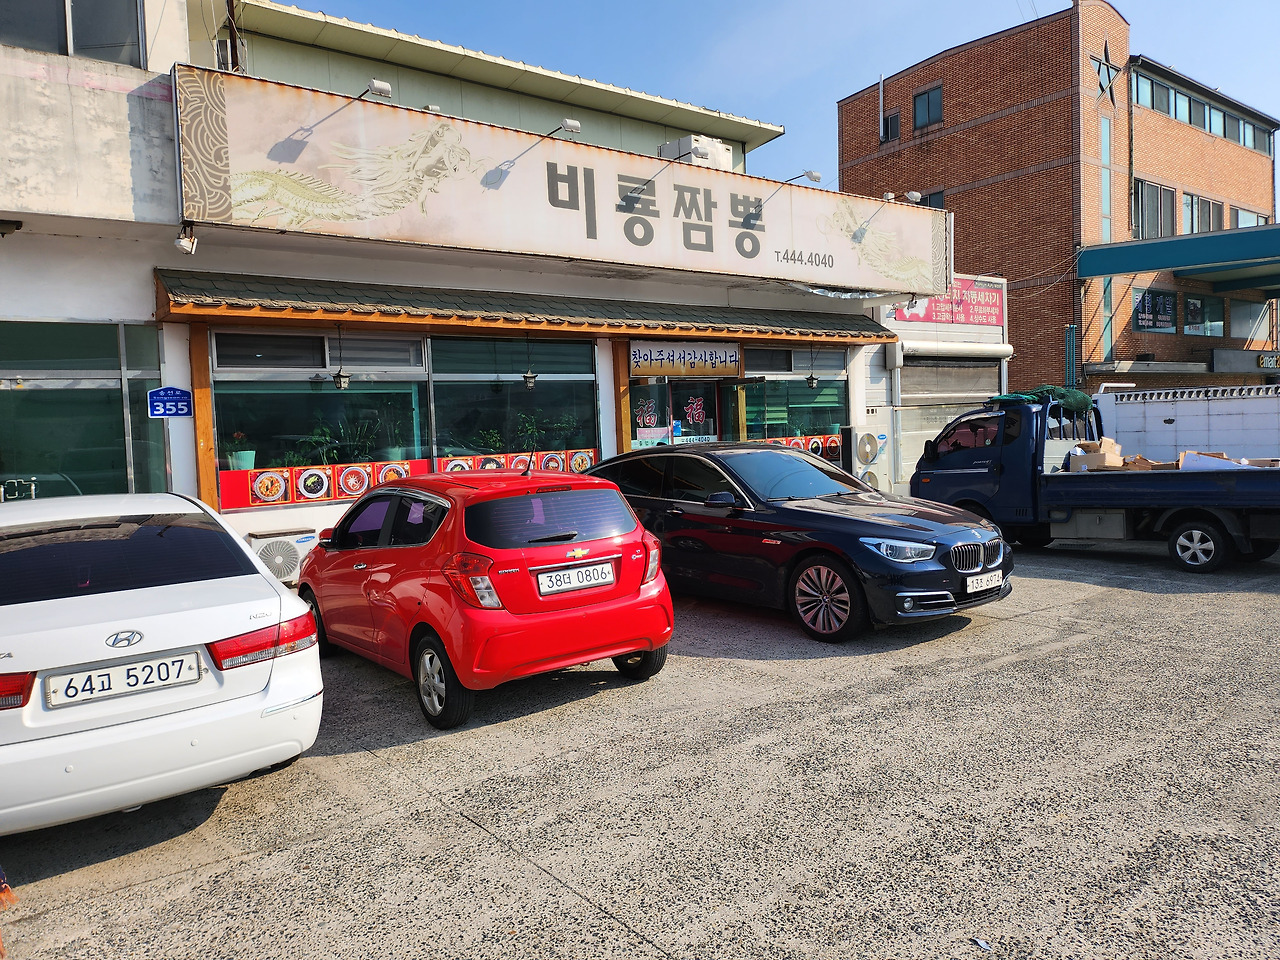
(541, 519)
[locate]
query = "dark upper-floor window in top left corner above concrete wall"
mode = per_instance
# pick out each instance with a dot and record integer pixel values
(104, 30)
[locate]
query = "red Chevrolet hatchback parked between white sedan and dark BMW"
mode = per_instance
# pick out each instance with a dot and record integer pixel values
(467, 580)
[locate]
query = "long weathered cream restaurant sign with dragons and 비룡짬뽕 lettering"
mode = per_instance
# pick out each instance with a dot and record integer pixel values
(267, 156)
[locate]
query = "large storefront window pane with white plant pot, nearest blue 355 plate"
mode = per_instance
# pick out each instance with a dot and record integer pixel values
(312, 423)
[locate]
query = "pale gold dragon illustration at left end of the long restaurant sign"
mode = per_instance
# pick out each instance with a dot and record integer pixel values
(392, 177)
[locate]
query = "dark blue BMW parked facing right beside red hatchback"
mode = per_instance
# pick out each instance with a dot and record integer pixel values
(780, 528)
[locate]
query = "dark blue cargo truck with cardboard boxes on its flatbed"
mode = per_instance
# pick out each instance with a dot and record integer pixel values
(1009, 463)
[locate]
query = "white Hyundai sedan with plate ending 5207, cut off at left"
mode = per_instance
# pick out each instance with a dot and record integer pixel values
(144, 653)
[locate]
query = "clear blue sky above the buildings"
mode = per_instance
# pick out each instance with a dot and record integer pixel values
(789, 63)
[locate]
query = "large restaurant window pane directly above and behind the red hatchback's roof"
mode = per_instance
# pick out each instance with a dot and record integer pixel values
(504, 417)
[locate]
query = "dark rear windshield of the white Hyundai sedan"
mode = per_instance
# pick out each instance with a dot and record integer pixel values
(107, 555)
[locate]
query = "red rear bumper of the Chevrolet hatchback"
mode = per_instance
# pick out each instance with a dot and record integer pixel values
(492, 647)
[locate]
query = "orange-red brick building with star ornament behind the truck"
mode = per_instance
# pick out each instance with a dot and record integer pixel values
(1050, 138)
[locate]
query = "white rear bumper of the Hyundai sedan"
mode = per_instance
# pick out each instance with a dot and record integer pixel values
(63, 779)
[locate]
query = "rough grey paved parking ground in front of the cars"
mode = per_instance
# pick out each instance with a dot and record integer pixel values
(1085, 770)
